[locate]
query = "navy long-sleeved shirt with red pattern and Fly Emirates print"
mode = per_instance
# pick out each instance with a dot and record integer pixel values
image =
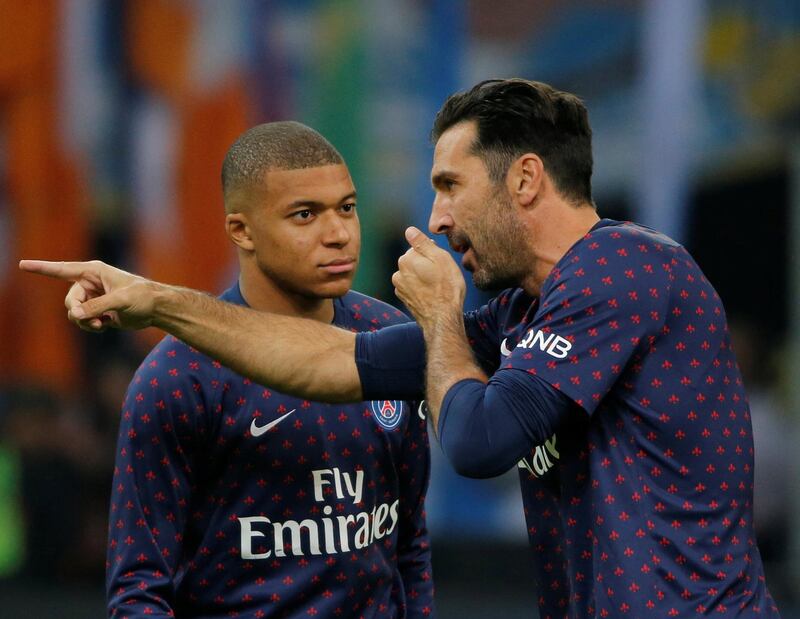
(197, 498)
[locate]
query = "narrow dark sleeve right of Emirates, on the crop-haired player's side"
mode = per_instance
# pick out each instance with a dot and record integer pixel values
(413, 542)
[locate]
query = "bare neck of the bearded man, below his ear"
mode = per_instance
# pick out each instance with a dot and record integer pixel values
(554, 228)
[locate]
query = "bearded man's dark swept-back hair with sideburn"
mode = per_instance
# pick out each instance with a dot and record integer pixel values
(516, 116)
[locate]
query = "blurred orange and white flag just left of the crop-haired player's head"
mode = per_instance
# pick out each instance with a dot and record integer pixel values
(192, 104)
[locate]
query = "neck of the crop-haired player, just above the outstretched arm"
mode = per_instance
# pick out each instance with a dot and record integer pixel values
(262, 294)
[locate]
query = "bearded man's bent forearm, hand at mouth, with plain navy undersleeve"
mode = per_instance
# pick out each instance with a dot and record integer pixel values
(484, 426)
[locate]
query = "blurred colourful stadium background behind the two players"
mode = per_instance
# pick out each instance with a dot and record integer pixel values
(114, 119)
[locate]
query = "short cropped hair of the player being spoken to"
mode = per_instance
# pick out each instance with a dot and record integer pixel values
(285, 145)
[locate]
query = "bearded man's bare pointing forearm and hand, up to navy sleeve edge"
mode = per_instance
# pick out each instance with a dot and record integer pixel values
(294, 355)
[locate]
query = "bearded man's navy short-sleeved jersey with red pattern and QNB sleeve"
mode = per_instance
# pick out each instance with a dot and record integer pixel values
(641, 505)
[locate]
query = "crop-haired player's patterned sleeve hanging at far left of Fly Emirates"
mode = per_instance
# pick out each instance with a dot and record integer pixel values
(160, 428)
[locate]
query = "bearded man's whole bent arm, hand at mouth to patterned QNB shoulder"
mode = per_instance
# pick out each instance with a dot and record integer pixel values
(602, 311)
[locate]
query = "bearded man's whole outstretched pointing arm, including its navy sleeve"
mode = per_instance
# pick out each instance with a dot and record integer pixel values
(301, 357)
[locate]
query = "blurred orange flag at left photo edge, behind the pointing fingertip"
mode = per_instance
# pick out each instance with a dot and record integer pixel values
(44, 196)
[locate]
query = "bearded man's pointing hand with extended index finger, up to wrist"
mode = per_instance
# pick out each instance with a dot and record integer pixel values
(101, 296)
